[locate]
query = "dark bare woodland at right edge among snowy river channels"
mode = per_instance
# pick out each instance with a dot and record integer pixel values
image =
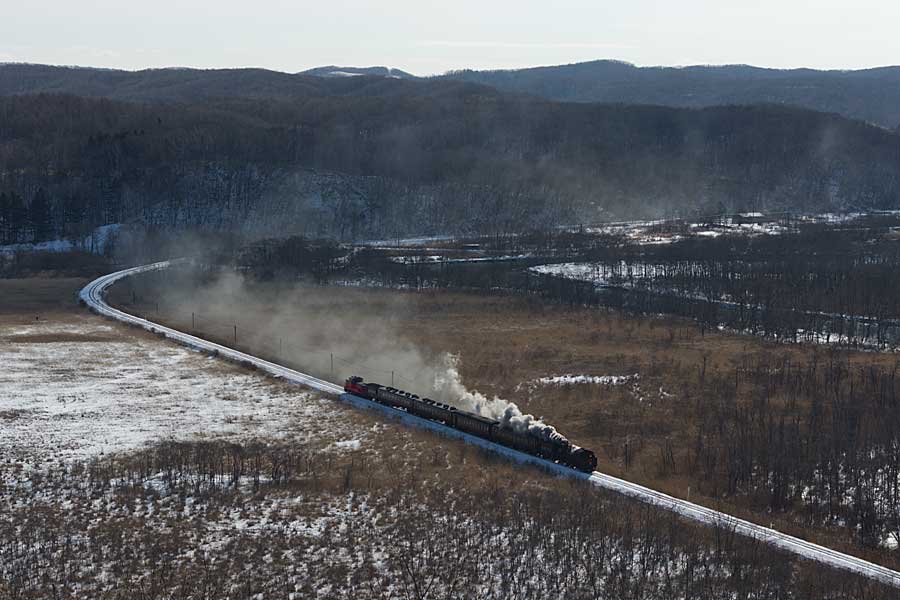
(829, 283)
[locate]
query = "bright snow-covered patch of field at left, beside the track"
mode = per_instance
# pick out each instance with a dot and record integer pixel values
(85, 388)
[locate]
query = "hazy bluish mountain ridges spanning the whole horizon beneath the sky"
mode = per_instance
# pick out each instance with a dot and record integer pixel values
(871, 95)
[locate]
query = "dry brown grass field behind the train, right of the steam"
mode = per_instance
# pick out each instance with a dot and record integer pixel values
(506, 341)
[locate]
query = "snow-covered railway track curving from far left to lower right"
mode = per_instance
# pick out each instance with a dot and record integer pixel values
(93, 296)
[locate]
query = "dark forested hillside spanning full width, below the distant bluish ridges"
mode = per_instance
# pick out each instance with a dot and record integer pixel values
(380, 157)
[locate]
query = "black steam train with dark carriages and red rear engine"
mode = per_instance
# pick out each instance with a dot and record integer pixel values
(556, 450)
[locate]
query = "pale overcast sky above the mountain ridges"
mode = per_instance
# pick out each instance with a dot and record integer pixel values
(431, 37)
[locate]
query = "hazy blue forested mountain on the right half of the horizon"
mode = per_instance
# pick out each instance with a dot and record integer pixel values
(870, 94)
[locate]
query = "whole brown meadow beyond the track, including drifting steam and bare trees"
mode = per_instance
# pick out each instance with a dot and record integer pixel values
(698, 414)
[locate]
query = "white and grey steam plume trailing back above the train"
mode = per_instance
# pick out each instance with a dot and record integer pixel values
(334, 334)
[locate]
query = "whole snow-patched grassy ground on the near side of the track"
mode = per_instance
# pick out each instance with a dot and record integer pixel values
(222, 483)
